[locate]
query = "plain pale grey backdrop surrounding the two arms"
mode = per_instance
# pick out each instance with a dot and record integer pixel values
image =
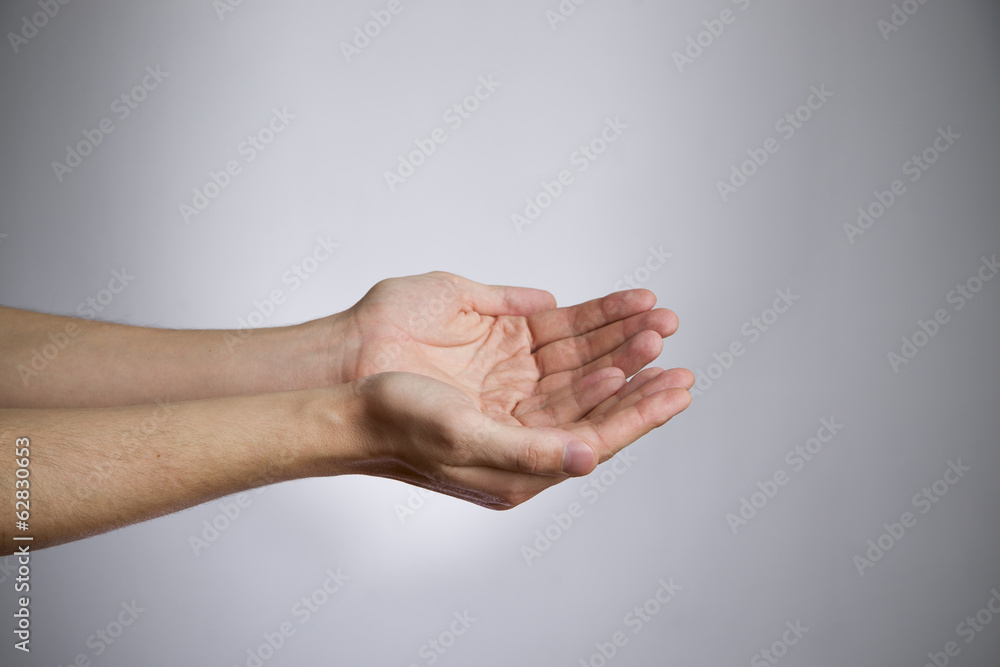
(656, 186)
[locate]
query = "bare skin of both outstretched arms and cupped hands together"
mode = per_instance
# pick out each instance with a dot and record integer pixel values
(490, 394)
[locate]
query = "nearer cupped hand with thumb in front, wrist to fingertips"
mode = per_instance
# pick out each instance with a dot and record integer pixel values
(428, 433)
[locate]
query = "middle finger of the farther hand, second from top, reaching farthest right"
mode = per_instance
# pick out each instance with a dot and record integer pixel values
(577, 351)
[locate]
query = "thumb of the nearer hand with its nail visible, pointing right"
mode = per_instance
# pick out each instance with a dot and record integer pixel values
(538, 451)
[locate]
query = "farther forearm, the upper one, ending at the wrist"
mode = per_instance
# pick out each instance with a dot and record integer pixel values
(49, 361)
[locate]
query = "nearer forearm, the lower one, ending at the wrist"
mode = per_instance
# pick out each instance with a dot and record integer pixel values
(94, 470)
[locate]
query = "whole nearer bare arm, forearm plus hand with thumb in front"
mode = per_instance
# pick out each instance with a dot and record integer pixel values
(98, 469)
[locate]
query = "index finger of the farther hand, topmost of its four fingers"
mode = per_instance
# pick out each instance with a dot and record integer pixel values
(558, 323)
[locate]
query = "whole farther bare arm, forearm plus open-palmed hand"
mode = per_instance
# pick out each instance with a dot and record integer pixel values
(433, 324)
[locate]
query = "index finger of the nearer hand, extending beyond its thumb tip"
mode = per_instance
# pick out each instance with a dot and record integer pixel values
(625, 424)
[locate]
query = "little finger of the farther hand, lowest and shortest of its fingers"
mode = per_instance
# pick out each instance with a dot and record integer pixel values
(570, 403)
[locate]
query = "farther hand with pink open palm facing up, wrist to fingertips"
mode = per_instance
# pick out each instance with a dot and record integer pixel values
(509, 350)
